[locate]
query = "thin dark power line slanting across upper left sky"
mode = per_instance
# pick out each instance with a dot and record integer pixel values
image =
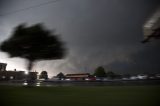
(31, 7)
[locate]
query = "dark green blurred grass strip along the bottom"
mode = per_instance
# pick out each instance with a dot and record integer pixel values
(80, 96)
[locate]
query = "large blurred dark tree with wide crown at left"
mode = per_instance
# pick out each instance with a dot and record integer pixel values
(33, 43)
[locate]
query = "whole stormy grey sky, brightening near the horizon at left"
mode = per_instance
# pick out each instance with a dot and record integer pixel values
(104, 33)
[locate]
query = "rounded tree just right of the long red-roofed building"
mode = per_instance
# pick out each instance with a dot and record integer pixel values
(100, 72)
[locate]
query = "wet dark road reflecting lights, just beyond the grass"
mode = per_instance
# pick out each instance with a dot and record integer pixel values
(83, 83)
